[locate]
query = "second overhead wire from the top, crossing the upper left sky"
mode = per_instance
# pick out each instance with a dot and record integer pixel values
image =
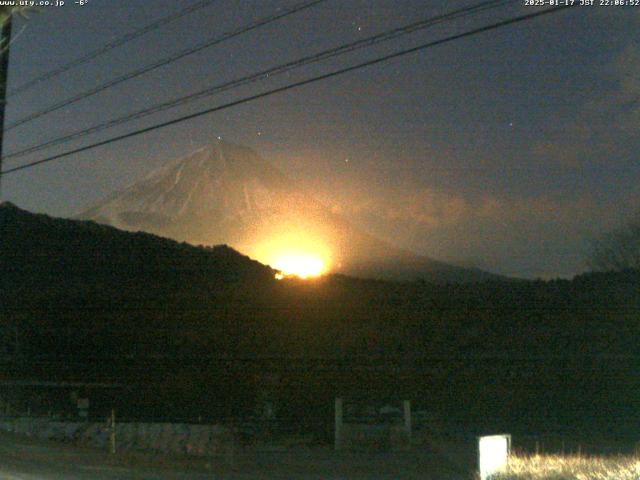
(166, 61)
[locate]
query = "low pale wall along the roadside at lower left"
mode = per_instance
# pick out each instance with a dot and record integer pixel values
(162, 437)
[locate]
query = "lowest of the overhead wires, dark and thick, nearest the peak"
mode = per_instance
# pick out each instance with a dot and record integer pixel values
(291, 86)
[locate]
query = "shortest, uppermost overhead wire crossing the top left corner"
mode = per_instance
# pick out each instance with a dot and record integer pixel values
(110, 46)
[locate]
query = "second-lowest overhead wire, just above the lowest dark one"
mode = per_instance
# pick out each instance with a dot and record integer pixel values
(278, 70)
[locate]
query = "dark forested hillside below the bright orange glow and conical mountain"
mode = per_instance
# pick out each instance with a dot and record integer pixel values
(89, 301)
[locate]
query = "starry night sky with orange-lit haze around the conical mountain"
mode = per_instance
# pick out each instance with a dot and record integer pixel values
(507, 151)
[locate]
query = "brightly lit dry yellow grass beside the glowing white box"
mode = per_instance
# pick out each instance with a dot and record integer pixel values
(571, 467)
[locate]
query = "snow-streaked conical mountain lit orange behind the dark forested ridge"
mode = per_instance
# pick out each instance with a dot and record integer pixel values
(226, 193)
